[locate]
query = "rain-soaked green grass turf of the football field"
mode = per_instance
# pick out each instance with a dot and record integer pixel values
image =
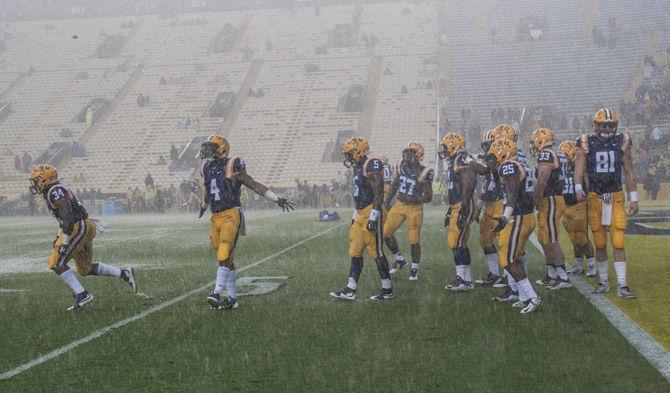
(295, 338)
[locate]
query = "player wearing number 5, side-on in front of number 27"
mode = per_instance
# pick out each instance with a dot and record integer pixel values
(367, 222)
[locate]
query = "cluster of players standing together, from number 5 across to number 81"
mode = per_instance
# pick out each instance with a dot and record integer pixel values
(578, 182)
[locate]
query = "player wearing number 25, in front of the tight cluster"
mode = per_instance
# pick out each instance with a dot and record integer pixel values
(515, 225)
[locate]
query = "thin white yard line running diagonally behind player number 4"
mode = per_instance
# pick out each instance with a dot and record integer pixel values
(67, 348)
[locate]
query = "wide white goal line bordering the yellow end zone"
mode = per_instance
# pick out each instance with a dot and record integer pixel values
(655, 353)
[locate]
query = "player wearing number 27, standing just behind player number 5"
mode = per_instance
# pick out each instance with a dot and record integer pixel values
(413, 183)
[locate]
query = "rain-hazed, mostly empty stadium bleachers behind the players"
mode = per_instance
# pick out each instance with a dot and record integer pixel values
(110, 92)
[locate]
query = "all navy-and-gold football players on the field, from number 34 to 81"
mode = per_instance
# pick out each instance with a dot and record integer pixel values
(578, 182)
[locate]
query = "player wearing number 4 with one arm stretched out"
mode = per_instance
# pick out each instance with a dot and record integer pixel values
(223, 178)
